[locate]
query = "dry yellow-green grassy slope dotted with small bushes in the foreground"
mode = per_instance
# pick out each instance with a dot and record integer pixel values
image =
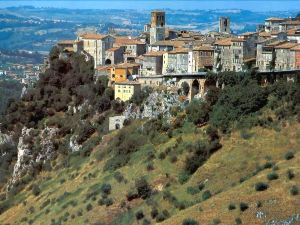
(72, 195)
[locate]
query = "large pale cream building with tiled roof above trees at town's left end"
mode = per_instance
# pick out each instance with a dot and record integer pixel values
(96, 45)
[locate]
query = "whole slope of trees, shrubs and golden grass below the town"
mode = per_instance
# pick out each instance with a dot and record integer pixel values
(156, 170)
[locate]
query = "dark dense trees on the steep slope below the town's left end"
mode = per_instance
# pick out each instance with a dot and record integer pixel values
(69, 81)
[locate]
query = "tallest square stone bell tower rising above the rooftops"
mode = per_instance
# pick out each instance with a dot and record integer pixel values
(157, 26)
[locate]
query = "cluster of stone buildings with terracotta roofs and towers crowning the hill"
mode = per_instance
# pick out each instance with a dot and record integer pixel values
(162, 56)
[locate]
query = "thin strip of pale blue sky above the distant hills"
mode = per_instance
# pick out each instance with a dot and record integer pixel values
(254, 5)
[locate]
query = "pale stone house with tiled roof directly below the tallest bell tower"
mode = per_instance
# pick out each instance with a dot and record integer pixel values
(152, 64)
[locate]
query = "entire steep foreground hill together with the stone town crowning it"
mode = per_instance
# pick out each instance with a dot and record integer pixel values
(169, 127)
